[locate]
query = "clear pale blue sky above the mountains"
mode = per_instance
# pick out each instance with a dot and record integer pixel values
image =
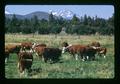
(102, 11)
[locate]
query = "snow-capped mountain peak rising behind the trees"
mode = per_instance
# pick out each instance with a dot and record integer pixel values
(63, 13)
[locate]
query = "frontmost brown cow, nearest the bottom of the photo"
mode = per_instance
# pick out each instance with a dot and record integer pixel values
(25, 60)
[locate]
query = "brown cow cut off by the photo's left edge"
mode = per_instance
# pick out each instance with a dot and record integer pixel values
(11, 49)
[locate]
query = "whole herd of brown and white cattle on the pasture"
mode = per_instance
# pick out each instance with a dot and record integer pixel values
(25, 52)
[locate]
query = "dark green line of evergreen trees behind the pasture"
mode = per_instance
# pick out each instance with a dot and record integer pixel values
(85, 25)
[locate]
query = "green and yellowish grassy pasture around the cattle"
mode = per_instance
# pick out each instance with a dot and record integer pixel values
(68, 67)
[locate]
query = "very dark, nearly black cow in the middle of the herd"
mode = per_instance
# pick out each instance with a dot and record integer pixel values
(52, 54)
